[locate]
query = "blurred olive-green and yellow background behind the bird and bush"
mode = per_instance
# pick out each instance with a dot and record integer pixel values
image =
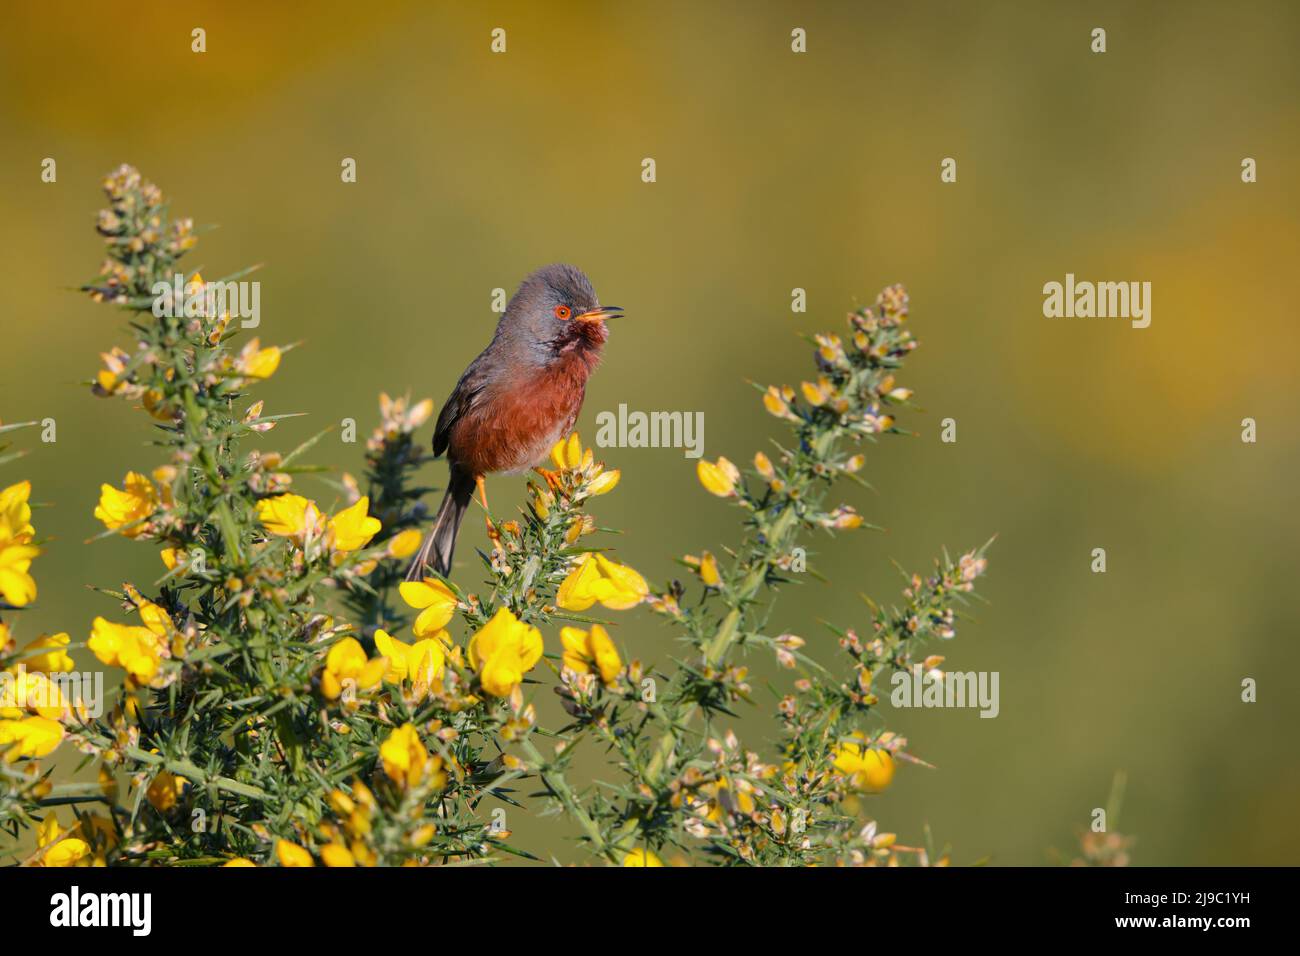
(775, 171)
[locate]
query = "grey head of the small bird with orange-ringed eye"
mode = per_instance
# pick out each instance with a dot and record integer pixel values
(556, 312)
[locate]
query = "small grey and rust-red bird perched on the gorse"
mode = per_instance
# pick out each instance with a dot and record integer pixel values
(518, 399)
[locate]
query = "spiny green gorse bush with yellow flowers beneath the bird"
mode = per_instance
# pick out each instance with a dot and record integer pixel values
(285, 698)
